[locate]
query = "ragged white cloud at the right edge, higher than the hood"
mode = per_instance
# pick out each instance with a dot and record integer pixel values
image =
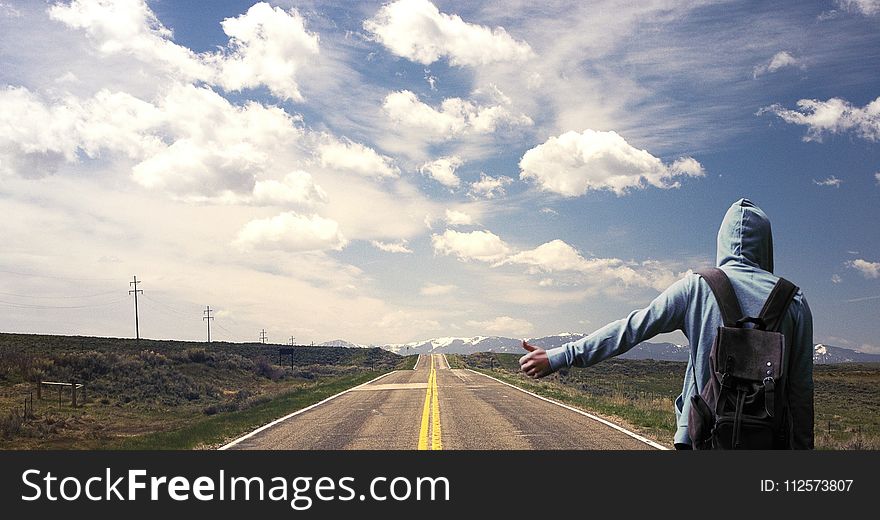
(834, 116)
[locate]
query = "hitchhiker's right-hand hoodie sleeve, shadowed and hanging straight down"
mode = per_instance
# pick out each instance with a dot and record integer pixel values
(800, 380)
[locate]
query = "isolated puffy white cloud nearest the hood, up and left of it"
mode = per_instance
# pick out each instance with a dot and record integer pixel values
(573, 163)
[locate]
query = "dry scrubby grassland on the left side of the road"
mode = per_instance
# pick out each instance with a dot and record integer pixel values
(137, 390)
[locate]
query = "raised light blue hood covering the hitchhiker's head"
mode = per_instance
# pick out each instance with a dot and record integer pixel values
(745, 237)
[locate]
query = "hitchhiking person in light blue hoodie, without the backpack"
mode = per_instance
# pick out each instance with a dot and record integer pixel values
(745, 254)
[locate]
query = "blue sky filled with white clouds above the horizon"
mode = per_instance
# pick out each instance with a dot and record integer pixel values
(388, 172)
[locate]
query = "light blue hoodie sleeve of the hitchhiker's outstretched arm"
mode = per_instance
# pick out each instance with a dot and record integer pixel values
(665, 314)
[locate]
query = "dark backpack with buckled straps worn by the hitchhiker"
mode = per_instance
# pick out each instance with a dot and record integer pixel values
(743, 405)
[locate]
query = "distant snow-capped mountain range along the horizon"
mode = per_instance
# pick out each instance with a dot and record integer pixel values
(822, 354)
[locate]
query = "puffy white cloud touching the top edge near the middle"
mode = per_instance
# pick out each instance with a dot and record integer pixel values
(418, 31)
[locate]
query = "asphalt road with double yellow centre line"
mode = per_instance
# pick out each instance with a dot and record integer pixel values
(435, 407)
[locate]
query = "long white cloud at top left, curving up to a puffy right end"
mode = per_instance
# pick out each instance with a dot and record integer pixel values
(267, 45)
